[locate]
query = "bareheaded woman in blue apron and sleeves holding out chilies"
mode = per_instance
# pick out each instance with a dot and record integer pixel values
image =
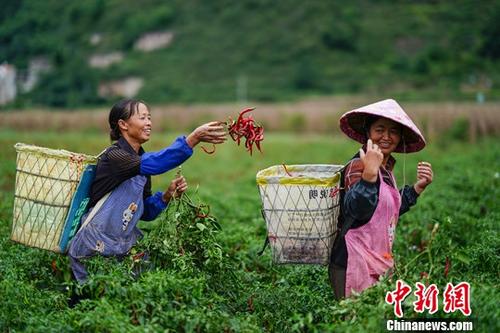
(121, 191)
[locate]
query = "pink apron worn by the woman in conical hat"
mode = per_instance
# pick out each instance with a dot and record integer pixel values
(369, 247)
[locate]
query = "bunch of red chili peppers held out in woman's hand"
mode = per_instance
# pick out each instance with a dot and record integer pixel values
(245, 127)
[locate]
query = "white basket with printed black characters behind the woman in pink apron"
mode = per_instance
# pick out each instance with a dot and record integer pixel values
(300, 204)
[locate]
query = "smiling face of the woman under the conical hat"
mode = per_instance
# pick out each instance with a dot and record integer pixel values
(386, 134)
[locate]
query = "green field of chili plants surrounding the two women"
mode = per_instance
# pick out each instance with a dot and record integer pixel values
(219, 283)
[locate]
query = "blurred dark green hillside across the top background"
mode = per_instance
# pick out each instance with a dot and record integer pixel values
(271, 50)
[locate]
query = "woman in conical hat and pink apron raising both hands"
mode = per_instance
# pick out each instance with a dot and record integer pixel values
(370, 201)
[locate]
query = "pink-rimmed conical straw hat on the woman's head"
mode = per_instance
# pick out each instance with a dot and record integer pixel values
(352, 123)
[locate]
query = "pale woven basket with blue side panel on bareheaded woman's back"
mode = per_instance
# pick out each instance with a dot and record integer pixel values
(46, 207)
